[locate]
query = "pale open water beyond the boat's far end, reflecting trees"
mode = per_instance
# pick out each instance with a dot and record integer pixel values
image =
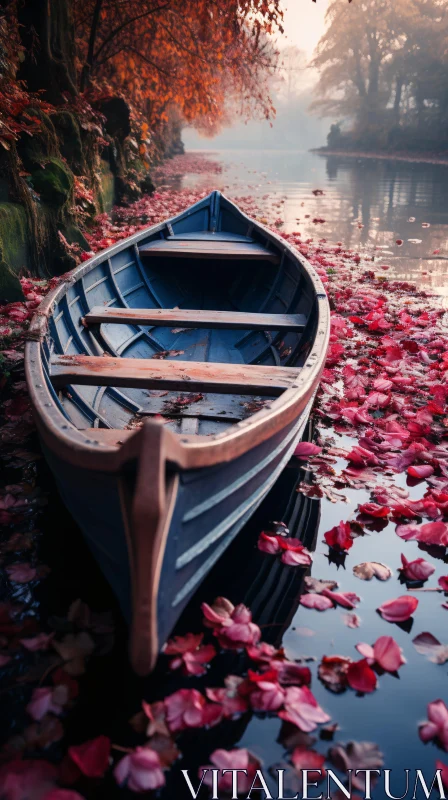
(368, 204)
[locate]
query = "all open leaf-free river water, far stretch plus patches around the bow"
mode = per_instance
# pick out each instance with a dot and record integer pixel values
(368, 205)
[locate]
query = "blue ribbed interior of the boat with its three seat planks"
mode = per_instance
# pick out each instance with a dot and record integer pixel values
(202, 320)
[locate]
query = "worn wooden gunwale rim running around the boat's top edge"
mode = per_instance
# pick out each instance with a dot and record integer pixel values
(79, 448)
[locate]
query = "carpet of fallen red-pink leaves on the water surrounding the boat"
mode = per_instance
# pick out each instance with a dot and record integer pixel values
(372, 620)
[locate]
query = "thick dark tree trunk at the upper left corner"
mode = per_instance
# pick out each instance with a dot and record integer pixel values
(47, 33)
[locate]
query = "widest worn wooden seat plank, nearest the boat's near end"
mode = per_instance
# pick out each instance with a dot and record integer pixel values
(188, 376)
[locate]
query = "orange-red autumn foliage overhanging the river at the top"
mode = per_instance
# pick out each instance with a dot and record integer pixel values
(195, 54)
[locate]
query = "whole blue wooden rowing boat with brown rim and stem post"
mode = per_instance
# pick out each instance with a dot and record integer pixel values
(171, 377)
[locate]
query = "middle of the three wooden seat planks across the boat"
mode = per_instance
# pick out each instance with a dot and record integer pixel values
(190, 318)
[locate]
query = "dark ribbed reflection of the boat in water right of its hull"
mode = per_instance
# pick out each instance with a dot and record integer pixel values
(269, 588)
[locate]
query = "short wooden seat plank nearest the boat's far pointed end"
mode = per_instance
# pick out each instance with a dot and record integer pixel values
(178, 248)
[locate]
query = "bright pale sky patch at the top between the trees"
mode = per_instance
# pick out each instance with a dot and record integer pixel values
(304, 23)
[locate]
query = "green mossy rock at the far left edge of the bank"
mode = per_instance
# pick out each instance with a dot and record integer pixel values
(14, 250)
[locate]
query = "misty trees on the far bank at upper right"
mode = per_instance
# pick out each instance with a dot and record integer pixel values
(384, 75)
